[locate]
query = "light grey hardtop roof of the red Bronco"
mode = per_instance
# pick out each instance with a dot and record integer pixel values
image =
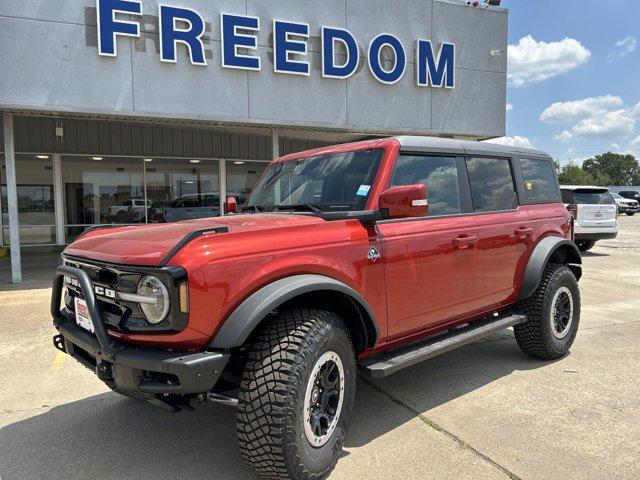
(448, 145)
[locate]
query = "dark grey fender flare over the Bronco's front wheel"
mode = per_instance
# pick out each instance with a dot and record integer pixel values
(237, 327)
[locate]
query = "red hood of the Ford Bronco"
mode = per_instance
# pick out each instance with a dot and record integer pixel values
(148, 245)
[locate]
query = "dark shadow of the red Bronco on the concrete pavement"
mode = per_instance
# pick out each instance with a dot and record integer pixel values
(106, 436)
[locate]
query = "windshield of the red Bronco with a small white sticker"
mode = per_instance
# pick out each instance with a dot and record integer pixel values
(332, 183)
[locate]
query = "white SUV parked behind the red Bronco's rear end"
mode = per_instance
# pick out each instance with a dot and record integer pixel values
(595, 213)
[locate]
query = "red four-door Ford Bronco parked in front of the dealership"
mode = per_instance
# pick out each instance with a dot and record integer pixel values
(339, 261)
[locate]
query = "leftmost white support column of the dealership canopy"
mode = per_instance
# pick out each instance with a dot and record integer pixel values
(12, 198)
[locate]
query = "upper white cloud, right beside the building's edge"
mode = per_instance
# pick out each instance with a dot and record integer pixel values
(531, 61)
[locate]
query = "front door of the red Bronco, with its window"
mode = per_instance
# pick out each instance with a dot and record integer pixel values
(432, 263)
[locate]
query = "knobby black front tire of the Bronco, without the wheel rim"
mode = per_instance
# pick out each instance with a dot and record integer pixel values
(270, 417)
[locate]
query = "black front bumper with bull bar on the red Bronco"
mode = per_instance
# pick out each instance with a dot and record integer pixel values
(148, 372)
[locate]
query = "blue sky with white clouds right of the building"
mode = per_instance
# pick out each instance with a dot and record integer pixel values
(573, 87)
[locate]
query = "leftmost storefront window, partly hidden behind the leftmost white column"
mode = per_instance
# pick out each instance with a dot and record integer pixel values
(36, 210)
